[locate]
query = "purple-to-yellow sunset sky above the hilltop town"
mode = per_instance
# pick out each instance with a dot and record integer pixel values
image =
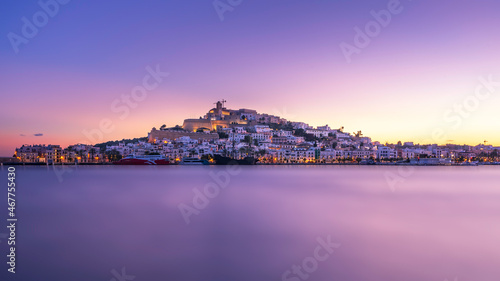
(77, 71)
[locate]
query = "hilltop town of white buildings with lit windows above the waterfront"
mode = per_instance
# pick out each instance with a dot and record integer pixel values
(270, 139)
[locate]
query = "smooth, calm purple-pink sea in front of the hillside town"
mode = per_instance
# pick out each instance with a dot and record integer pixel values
(259, 223)
